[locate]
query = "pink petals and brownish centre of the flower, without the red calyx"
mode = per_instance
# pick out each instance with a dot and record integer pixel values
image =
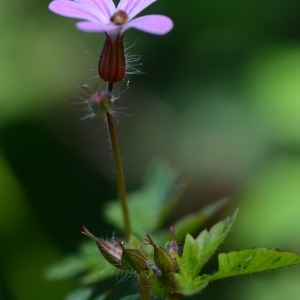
(104, 16)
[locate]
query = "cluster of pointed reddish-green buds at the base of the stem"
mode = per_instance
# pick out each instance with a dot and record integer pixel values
(160, 269)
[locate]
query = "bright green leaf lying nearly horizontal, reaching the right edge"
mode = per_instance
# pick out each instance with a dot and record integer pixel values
(252, 261)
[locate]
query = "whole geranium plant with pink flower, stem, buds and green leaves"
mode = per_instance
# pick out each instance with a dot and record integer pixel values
(148, 252)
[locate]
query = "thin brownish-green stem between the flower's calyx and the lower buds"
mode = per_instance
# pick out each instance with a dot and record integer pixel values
(118, 167)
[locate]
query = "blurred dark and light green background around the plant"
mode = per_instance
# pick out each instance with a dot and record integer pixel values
(220, 101)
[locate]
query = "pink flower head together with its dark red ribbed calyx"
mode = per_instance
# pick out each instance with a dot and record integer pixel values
(104, 16)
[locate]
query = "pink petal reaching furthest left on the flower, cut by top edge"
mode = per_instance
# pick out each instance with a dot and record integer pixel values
(72, 9)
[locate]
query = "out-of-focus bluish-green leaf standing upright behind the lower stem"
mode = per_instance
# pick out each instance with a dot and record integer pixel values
(151, 204)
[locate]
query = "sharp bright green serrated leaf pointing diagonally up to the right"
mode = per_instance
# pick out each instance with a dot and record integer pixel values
(197, 252)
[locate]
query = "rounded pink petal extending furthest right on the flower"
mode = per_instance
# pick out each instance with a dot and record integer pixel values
(155, 24)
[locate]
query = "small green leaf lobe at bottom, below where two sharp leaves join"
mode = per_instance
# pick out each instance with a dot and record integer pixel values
(190, 286)
